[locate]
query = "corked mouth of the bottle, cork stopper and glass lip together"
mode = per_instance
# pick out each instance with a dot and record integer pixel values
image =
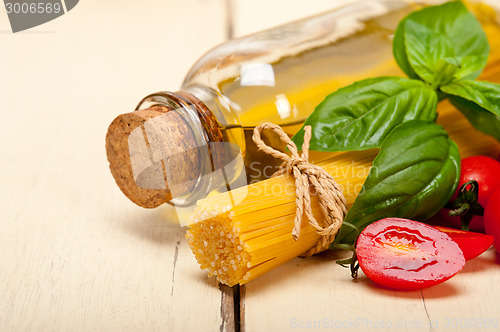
(165, 151)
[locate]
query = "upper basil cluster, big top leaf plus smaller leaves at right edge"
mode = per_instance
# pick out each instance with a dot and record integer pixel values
(446, 47)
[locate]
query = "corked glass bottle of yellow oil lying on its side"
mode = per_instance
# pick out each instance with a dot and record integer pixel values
(179, 147)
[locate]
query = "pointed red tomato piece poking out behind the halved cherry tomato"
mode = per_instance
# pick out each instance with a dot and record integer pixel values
(472, 244)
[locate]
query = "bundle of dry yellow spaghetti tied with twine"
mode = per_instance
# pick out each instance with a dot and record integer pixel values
(237, 243)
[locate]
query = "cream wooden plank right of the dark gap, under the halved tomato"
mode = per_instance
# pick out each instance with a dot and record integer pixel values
(316, 294)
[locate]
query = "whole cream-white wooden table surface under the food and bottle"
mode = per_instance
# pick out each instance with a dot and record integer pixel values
(76, 255)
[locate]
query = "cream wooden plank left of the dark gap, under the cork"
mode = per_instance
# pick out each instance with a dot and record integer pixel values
(76, 255)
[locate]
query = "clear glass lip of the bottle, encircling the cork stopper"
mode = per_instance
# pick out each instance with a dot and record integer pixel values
(189, 172)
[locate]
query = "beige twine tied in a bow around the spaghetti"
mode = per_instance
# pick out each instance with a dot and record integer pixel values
(308, 177)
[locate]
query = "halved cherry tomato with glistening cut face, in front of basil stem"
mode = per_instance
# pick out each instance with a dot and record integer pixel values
(404, 254)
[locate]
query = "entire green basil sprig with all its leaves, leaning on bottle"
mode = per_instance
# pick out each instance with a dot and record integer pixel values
(442, 49)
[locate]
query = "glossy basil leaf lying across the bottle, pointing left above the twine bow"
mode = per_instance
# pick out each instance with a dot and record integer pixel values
(360, 116)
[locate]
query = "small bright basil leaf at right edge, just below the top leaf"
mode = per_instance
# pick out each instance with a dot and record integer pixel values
(484, 94)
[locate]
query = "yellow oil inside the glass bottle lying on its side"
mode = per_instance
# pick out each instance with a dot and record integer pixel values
(302, 81)
